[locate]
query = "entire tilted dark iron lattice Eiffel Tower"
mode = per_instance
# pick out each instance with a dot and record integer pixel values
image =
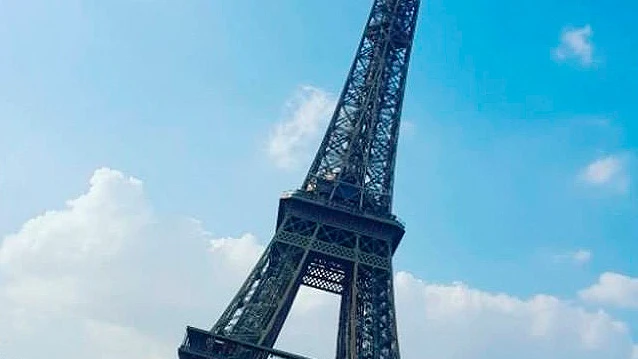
(337, 232)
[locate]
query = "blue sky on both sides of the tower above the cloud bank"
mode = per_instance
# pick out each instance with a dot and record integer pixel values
(518, 149)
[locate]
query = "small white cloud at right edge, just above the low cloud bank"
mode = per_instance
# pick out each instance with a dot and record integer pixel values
(613, 289)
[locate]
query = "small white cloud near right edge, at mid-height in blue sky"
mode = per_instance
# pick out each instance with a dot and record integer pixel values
(608, 172)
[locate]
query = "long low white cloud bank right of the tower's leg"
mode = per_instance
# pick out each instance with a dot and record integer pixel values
(469, 323)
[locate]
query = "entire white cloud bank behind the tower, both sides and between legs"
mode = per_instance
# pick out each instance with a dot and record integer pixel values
(107, 277)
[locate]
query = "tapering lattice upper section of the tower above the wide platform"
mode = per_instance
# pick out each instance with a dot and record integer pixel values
(354, 166)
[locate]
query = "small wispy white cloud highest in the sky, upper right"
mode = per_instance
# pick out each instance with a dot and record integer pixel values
(576, 45)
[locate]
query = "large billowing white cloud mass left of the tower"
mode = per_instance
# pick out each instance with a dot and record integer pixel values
(106, 268)
